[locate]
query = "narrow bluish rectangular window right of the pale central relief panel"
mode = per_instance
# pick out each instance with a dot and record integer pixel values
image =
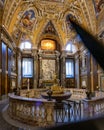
(69, 68)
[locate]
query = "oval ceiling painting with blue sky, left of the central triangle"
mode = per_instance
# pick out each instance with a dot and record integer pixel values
(28, 19)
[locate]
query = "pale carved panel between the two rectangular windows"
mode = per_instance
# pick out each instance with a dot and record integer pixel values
(48, 69)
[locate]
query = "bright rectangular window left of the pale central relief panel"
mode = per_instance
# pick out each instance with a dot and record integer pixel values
(27, 67)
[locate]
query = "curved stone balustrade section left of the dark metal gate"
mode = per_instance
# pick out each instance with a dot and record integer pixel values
(38, 112)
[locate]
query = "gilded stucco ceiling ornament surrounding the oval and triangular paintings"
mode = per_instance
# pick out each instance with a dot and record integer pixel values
(54, 11)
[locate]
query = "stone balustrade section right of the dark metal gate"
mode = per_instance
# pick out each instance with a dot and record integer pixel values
(94, 106)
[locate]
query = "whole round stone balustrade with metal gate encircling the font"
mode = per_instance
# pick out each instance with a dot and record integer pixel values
(41, 112)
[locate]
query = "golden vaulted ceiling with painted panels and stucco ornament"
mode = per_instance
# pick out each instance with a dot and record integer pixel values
(38, 19)
